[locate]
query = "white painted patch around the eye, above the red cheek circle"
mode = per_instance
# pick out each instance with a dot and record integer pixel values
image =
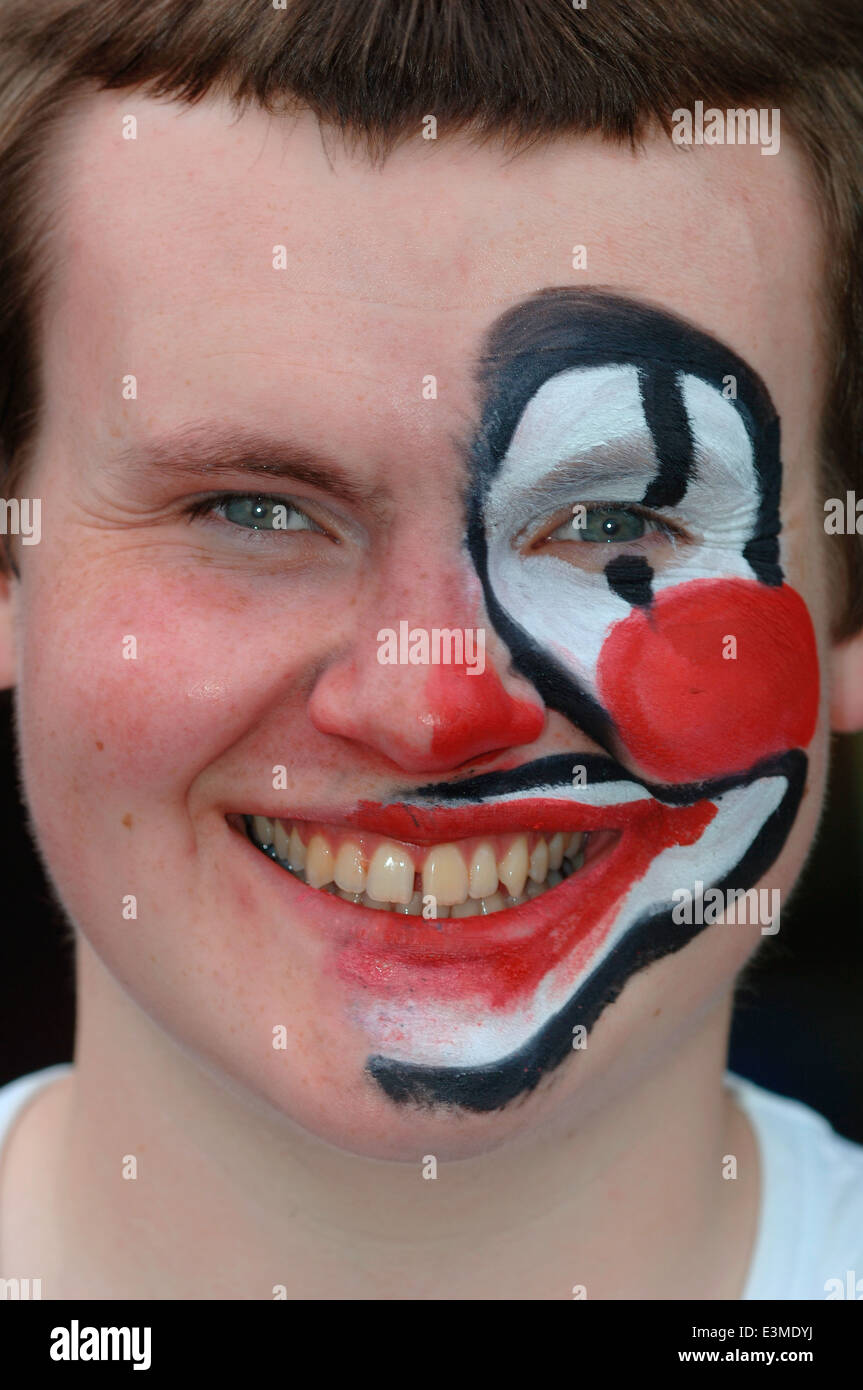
(584, 439)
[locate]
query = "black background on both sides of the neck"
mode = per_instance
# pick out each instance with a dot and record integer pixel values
(800, 1018)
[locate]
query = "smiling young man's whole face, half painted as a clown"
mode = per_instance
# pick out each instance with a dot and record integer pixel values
(573, 466)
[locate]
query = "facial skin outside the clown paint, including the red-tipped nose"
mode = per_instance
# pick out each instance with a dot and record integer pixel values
(249, 660)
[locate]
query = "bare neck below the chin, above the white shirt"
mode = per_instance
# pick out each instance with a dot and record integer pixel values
(620, 1193)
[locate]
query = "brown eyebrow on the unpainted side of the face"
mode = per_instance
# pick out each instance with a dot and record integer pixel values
(205, 451)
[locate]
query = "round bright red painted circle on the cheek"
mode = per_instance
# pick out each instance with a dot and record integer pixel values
(683, 710)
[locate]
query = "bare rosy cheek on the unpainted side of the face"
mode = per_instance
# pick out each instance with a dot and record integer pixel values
(117, 735)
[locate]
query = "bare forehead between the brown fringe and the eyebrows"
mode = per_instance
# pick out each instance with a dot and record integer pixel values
(394, 273)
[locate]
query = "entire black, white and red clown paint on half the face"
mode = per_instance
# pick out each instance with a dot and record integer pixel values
(591, 401)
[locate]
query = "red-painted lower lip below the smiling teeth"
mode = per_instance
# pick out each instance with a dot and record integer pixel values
(501, 958)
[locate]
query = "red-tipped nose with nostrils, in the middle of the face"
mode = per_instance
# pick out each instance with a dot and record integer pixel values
(425, 718)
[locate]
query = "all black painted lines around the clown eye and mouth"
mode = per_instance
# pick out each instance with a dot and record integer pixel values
(547, 334)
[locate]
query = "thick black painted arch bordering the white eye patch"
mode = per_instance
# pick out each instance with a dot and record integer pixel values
(554, 332)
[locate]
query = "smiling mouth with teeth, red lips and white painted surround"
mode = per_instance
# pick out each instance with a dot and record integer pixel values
(438, 997)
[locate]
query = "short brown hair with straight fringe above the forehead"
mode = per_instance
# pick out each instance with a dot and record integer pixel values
(526, 70)
